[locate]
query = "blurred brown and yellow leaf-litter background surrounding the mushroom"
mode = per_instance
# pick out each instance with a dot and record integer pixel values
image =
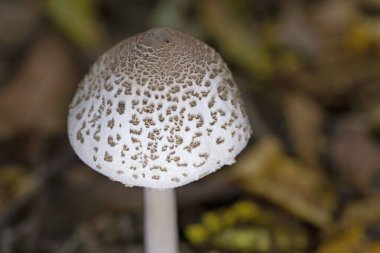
(309, 180)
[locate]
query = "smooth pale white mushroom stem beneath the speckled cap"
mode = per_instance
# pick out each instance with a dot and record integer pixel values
(160, 221)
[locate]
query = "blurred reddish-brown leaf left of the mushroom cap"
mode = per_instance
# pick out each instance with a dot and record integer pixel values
(38, 95)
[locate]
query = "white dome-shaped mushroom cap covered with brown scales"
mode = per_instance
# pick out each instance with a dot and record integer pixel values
(158, 110)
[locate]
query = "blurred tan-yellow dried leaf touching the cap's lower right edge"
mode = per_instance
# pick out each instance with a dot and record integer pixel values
(265, 170)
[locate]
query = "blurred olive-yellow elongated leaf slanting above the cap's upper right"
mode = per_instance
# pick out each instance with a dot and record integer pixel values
(236, 38)
